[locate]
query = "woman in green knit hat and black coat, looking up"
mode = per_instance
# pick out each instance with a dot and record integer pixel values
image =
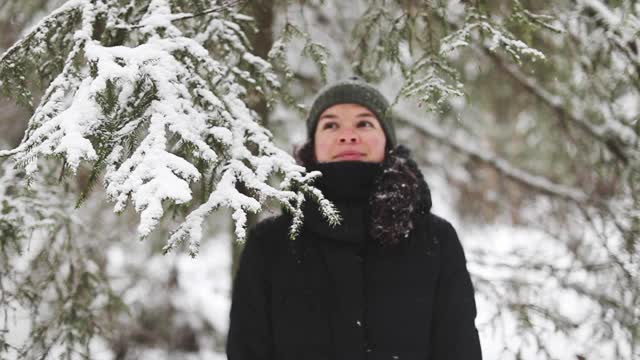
(390, 282)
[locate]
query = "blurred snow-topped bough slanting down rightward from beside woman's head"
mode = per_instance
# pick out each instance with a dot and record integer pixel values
(501, 165)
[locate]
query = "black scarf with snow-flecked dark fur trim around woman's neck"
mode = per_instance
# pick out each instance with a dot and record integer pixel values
(382, 201)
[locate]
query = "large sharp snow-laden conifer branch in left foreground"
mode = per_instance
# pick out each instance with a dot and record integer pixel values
(158, 112)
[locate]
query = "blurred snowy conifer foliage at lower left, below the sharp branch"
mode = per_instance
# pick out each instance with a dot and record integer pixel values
(46, 273)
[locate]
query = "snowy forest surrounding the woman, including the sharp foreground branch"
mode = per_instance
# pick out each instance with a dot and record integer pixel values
(141, 139)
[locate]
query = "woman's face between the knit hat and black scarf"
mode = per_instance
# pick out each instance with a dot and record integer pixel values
(349, 132)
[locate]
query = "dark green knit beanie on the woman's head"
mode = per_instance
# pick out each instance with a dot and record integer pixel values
(354, 90)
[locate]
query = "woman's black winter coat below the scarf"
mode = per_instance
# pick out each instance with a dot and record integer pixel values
(335, 294)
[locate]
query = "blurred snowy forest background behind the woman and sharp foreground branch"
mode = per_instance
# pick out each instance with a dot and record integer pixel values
(523, 116)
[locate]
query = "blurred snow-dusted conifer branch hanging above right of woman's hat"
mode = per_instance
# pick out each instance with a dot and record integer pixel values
(384, 35)
